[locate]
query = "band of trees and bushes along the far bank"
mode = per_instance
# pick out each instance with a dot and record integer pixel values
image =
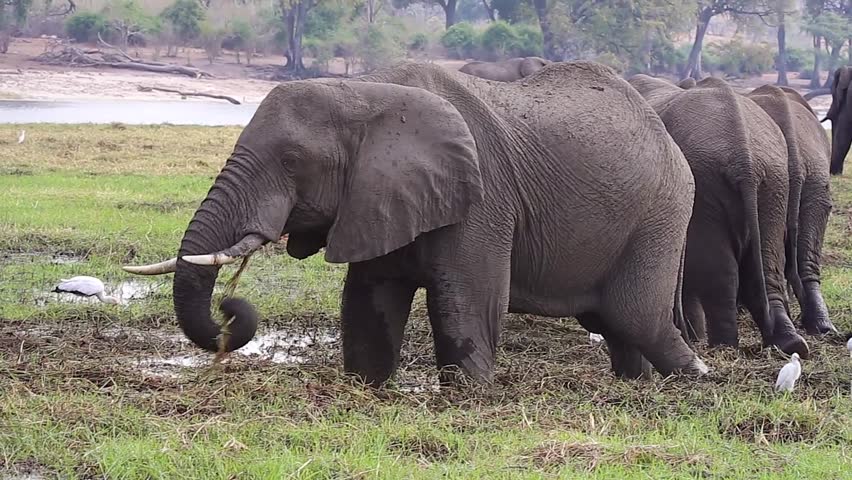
(654, 36)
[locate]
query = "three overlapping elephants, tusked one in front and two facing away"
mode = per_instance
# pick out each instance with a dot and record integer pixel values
(647, 210)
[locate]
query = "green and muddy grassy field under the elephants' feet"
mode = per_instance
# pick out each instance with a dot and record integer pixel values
(92, 390)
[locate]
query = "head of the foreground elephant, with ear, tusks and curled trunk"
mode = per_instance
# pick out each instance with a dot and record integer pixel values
(359, 168)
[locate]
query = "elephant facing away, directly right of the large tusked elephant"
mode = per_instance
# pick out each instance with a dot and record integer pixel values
(735, 244)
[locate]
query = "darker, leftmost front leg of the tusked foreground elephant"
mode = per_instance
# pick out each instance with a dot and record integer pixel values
(374, 313)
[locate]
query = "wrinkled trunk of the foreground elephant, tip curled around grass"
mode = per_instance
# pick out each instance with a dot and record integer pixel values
(232, 221)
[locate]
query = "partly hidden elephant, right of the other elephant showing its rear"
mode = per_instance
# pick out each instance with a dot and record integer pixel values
(809, 204)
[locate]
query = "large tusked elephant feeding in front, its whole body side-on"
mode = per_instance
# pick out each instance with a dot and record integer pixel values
(415, 177)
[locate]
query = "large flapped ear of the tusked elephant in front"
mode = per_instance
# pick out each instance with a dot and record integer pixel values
(413, 168)
